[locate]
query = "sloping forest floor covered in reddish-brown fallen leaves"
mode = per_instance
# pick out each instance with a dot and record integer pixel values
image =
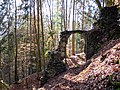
(101, 72)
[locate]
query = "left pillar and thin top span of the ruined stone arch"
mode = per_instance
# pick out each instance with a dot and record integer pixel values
(56, 65)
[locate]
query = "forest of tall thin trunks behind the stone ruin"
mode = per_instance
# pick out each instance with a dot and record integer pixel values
(29, 29)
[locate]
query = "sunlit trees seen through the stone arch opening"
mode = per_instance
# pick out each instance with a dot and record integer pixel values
(79, 44)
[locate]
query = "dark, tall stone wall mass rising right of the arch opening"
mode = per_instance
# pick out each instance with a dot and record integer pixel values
(107, 29)
